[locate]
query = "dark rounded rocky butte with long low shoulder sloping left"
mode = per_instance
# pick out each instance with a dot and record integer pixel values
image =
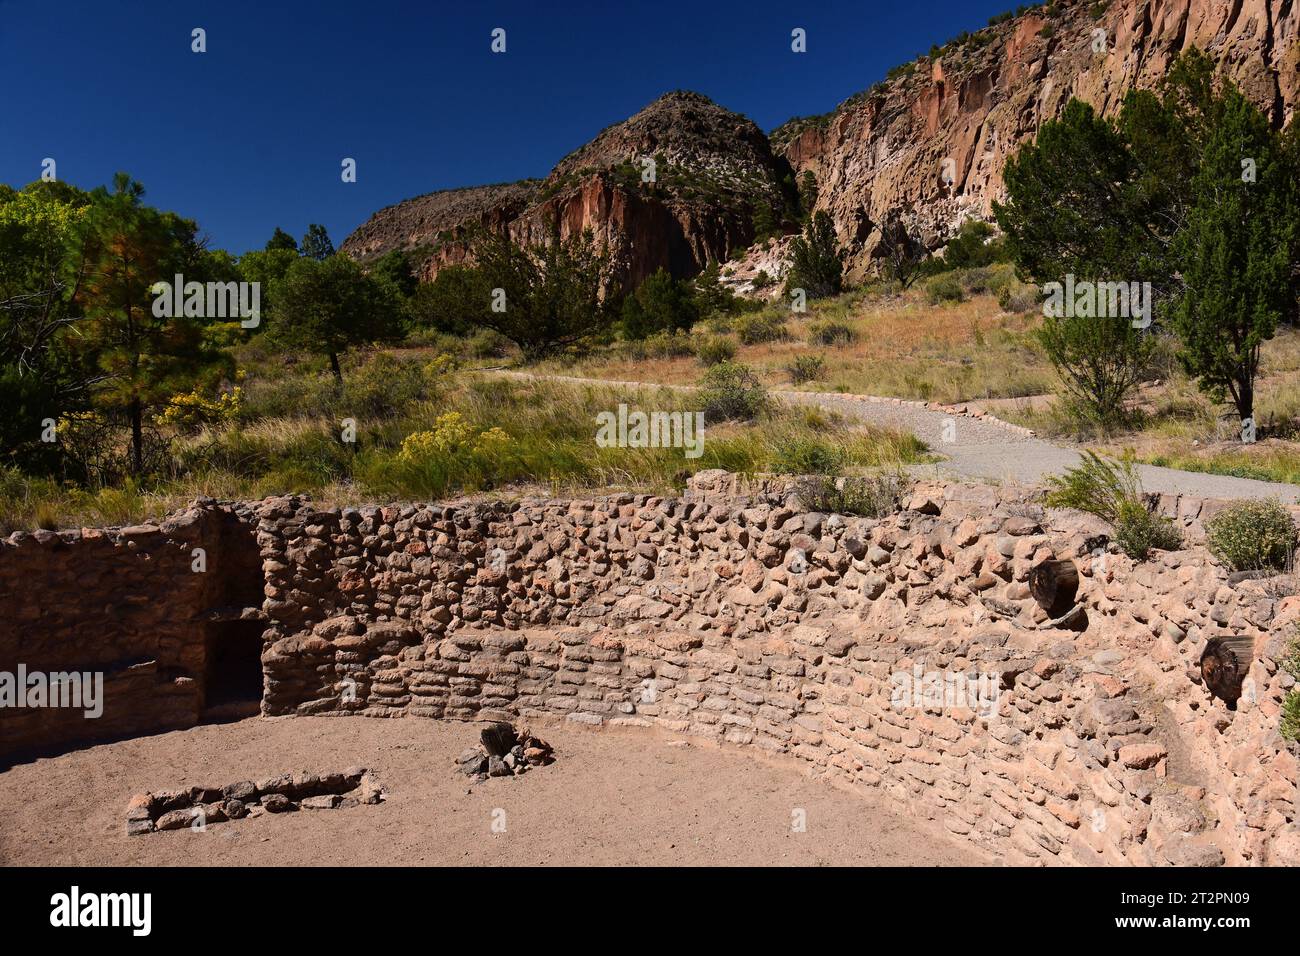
(674, 187)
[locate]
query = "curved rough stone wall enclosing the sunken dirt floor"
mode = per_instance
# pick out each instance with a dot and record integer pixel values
(733, 616)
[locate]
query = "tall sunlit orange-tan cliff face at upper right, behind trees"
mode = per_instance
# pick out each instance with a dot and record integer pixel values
(931, 144)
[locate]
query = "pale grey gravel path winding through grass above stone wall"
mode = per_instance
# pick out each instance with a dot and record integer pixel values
(989, 449)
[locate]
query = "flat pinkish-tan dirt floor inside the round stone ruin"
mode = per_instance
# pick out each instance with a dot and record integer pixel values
(612, 798)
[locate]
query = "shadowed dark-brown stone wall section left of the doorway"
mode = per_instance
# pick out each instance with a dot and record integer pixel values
(124, 609)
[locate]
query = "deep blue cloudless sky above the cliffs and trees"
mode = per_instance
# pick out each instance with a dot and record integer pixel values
(250, 135)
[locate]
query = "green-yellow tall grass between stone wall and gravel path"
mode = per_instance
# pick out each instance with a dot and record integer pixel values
(551, 440)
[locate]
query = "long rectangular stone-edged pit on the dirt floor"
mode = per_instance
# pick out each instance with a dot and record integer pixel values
(197, 807)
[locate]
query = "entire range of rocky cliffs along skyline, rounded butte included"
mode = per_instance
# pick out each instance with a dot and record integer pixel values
(928, 145)
